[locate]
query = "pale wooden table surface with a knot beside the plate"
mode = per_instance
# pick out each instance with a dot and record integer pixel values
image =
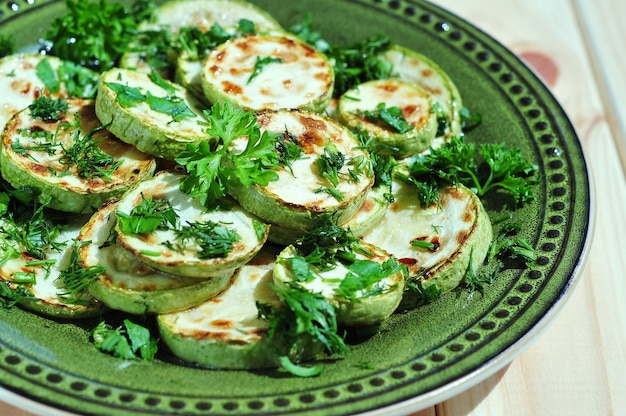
(578, 365)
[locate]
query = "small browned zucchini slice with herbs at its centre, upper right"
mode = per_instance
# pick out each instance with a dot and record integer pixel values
(416, 118)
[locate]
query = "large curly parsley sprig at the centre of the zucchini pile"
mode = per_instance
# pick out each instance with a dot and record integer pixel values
(212, 170)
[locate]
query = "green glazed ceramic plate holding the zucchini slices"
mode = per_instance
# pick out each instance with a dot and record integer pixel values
(420, 357)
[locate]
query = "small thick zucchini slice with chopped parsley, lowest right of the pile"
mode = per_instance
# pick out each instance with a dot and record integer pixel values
(357, 304)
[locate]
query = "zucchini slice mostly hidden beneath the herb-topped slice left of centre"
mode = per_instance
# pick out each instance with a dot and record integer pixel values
(130, 285)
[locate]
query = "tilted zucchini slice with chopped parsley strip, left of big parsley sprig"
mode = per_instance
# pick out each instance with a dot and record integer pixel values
(159, 119)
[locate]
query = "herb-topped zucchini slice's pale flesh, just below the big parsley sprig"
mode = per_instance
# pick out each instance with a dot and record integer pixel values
(150, 248)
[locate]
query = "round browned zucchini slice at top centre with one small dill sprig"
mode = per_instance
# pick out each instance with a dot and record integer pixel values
(268, 72)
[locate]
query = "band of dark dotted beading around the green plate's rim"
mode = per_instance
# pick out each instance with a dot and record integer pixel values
(529, 285)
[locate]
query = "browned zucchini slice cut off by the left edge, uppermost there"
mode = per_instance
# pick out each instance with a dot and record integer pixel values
(19, 82)
